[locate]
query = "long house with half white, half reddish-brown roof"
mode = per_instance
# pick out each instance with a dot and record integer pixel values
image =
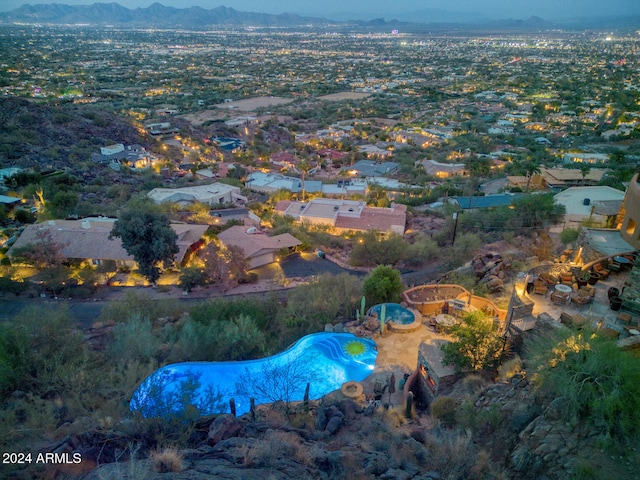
(346, 215)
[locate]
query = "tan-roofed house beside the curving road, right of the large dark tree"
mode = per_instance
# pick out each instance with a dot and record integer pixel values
(259, 249)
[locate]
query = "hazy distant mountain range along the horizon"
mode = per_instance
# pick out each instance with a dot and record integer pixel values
(197, 17)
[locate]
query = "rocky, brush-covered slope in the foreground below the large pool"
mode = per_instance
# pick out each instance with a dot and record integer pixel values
(482, 430)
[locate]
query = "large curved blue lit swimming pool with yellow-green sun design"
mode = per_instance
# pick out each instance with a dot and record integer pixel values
(324, 360)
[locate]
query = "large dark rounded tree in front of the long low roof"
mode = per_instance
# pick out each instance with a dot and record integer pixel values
(149, 238)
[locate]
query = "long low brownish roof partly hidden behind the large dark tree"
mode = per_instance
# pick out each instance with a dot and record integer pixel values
(88, 239)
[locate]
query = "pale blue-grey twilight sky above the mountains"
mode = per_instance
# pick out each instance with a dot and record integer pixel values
(367, 9)
